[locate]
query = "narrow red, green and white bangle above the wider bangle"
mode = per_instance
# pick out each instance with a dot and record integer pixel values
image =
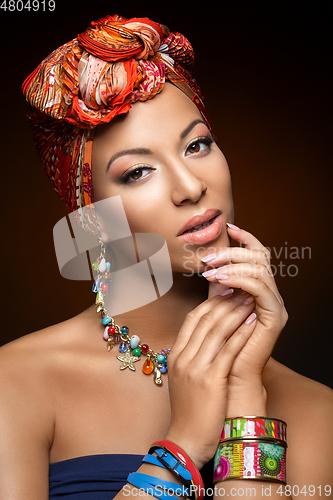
(261, 427)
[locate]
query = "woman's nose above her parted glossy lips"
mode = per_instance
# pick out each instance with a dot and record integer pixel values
(186, 185)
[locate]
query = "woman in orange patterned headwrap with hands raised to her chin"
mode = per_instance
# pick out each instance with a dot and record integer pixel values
(163, 158)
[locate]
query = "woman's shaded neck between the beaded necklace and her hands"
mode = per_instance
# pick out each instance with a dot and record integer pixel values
(159, 322)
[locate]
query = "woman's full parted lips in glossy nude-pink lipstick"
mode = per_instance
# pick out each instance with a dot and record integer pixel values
(206, 234)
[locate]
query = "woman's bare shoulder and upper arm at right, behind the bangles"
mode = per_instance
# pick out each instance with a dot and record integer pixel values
(307, 407)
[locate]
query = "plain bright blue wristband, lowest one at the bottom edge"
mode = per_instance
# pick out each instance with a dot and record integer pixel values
(141, 481)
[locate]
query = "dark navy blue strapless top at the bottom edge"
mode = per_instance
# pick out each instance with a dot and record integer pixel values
(97, 477)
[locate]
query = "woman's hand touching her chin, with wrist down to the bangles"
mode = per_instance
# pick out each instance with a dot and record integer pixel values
(249, 269)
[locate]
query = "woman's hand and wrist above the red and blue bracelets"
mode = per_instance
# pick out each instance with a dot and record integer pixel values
(207, 345)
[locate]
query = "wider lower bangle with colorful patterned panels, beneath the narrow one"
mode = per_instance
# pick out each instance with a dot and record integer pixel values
(250, 459)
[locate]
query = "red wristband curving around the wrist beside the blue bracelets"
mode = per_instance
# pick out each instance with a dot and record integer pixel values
(168, 446)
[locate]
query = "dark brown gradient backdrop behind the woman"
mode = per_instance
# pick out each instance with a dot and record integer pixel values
(264, 70)
